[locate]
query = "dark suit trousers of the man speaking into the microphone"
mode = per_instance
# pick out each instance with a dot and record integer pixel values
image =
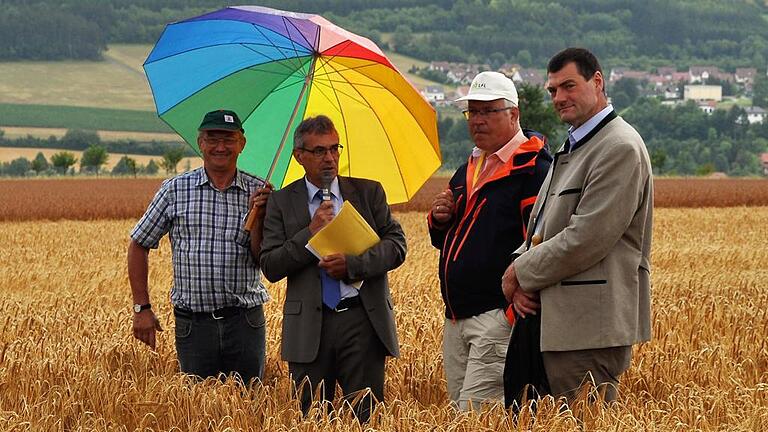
(351, 354)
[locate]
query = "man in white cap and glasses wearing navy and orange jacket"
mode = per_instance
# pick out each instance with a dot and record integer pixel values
(477, 223)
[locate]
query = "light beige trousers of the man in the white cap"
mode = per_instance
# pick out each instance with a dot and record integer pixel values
(474, 351)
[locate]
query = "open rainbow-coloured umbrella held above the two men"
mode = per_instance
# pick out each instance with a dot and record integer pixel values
(275, 68)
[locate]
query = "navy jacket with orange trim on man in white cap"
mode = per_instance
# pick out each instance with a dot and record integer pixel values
(476, 245)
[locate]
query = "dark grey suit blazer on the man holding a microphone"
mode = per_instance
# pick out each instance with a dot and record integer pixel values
(283, 255)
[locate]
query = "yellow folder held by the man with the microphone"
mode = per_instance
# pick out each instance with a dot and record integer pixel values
(348, 233)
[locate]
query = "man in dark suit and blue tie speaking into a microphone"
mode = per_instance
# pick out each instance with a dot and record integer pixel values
(334, 330)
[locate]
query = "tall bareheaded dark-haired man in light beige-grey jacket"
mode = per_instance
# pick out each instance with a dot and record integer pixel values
(585, 264)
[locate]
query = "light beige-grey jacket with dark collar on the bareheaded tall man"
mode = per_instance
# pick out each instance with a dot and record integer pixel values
(594, 213)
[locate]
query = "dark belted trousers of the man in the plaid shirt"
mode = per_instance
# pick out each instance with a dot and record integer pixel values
(211, 344)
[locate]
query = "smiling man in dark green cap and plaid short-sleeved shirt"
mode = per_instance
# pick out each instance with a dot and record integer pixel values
(217, 294)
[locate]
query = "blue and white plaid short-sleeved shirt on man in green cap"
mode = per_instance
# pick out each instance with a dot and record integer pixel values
(212, 262)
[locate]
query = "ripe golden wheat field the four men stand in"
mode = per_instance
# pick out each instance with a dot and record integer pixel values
(68, 360)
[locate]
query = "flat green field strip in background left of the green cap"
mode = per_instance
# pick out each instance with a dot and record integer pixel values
(56, 116)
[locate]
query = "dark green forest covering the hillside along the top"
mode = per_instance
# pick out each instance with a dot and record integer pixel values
(639, 34)
